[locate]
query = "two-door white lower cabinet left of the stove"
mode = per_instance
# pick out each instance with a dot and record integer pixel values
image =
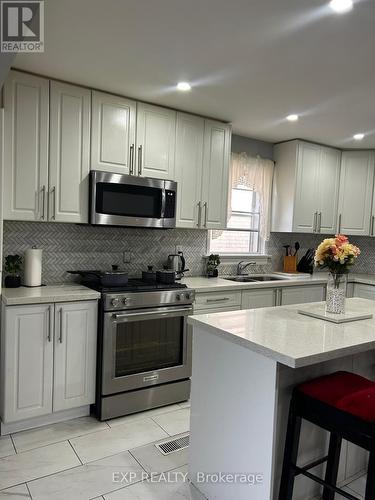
(48, 358)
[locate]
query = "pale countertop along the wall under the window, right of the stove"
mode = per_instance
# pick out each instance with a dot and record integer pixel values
(203, 284)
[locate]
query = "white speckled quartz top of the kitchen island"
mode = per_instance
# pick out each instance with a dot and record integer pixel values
(290, 338)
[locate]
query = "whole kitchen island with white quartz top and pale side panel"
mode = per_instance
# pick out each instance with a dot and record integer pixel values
(245, 365)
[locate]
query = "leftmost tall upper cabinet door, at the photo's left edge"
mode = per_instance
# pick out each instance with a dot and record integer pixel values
(25, 146)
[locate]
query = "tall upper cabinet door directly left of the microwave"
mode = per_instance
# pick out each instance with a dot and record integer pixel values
(69, 153)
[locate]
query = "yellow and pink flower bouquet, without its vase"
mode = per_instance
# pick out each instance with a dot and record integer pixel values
(336, 254)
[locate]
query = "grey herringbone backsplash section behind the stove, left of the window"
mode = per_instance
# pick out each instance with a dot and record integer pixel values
(70, 247)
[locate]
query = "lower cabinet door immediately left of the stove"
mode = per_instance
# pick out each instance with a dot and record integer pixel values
(75, 354)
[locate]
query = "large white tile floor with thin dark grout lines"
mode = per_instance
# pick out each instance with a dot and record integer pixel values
(76, 460)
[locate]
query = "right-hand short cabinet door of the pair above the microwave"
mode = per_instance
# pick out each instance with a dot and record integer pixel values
(156, 139)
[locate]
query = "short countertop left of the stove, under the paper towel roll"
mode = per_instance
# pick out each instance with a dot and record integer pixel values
(45, 294)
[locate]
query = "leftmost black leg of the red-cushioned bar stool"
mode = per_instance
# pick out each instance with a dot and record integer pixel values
(290, 456)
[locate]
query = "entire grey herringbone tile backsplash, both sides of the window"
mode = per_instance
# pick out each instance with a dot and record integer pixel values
(72, 246)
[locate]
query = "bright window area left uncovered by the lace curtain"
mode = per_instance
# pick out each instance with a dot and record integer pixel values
(242, 234)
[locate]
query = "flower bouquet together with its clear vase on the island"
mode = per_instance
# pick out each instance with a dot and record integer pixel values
(337, 255)
